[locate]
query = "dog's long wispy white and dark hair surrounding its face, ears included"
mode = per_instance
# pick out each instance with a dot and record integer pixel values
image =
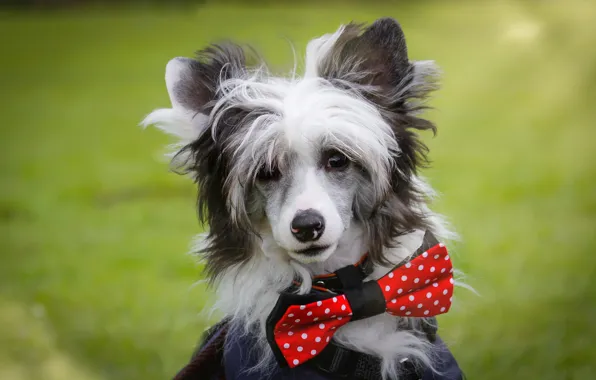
(228, 112)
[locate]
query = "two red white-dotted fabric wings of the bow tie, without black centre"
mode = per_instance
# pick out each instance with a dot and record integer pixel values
(422, 287)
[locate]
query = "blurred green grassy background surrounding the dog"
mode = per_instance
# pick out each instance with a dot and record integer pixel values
(94, 276)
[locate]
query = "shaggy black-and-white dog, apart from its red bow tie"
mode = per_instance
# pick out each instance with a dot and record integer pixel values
(300, 176)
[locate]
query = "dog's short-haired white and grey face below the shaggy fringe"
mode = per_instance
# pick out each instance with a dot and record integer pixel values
(309, 205)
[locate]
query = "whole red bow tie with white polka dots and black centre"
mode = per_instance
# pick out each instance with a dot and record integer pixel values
(301, 326)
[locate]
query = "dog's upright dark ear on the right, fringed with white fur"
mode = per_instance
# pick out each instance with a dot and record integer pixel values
(375, 60)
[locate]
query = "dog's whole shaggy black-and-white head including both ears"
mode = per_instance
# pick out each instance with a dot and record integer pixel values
(300, 159)
